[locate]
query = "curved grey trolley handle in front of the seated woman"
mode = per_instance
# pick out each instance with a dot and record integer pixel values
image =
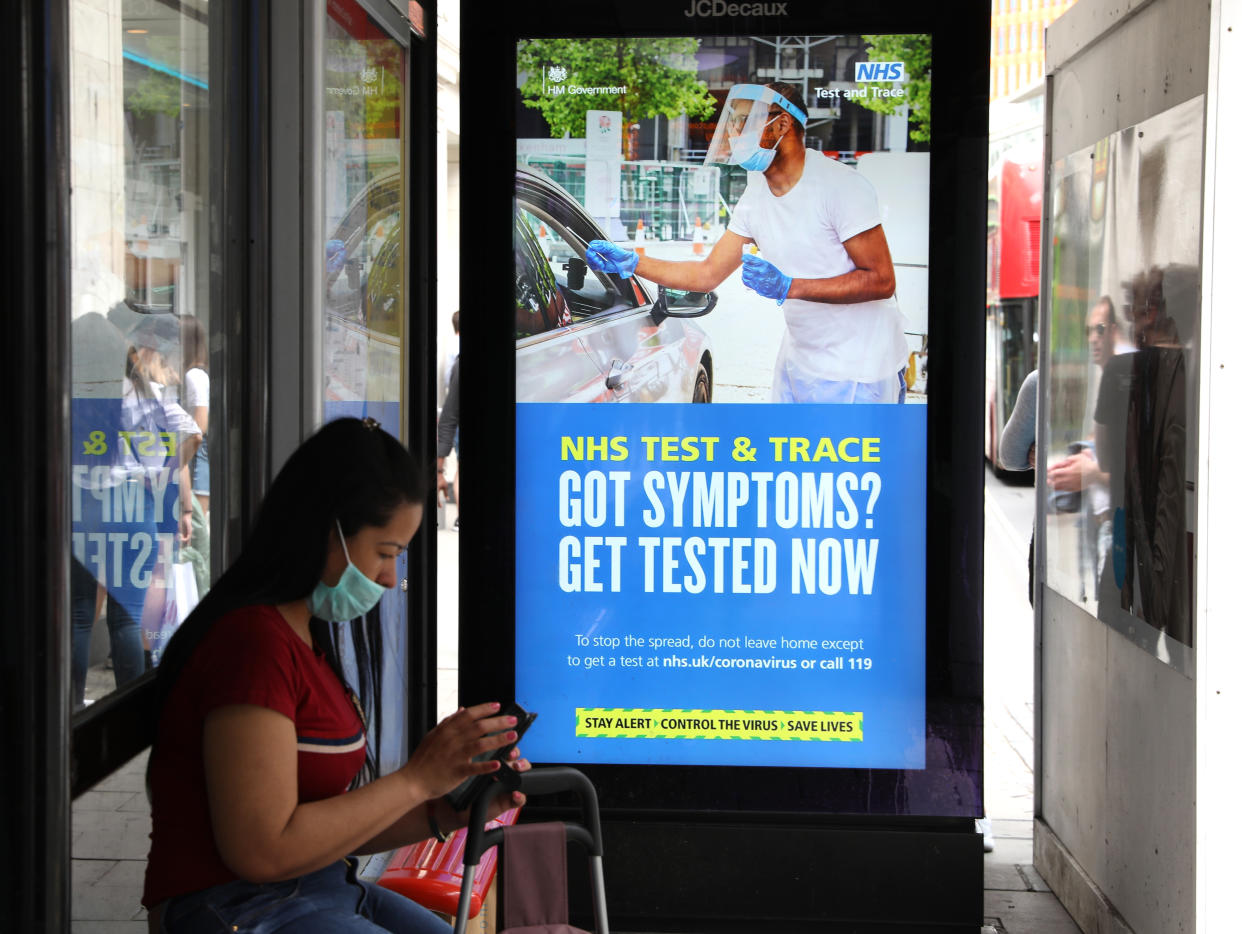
(533, 783)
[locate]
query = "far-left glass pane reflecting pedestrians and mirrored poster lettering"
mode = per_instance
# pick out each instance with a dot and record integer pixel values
(140, 491)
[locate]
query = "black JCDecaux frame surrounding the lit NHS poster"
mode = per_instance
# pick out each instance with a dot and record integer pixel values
(670, 808)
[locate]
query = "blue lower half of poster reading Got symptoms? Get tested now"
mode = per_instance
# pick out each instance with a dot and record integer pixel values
(882, 623)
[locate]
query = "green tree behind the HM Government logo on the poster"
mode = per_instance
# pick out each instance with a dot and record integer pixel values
(660, 78)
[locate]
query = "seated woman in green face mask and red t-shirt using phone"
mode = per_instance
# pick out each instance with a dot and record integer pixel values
(263, 784)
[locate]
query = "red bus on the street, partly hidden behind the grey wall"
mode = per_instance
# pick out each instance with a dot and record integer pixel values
(1015, 203)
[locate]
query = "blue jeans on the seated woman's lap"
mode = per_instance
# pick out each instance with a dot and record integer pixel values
(330, 900)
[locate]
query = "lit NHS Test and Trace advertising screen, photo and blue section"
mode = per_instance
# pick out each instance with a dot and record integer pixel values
(721, 371)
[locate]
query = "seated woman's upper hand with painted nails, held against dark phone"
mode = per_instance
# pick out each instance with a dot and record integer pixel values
(445, 757)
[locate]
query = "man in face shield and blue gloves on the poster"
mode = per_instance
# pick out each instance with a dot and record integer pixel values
(825, 258)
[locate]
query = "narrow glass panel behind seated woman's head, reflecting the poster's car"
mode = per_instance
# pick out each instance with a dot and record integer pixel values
(366, 269)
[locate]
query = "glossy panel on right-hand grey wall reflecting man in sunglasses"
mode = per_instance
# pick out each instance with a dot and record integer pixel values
(1122, 413)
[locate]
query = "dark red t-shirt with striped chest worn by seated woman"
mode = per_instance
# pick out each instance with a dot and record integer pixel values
(250, 656)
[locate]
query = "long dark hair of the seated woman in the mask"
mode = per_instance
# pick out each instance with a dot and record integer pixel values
(351, 471)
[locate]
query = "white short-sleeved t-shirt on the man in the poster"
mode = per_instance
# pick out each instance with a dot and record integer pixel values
(803, 235)
